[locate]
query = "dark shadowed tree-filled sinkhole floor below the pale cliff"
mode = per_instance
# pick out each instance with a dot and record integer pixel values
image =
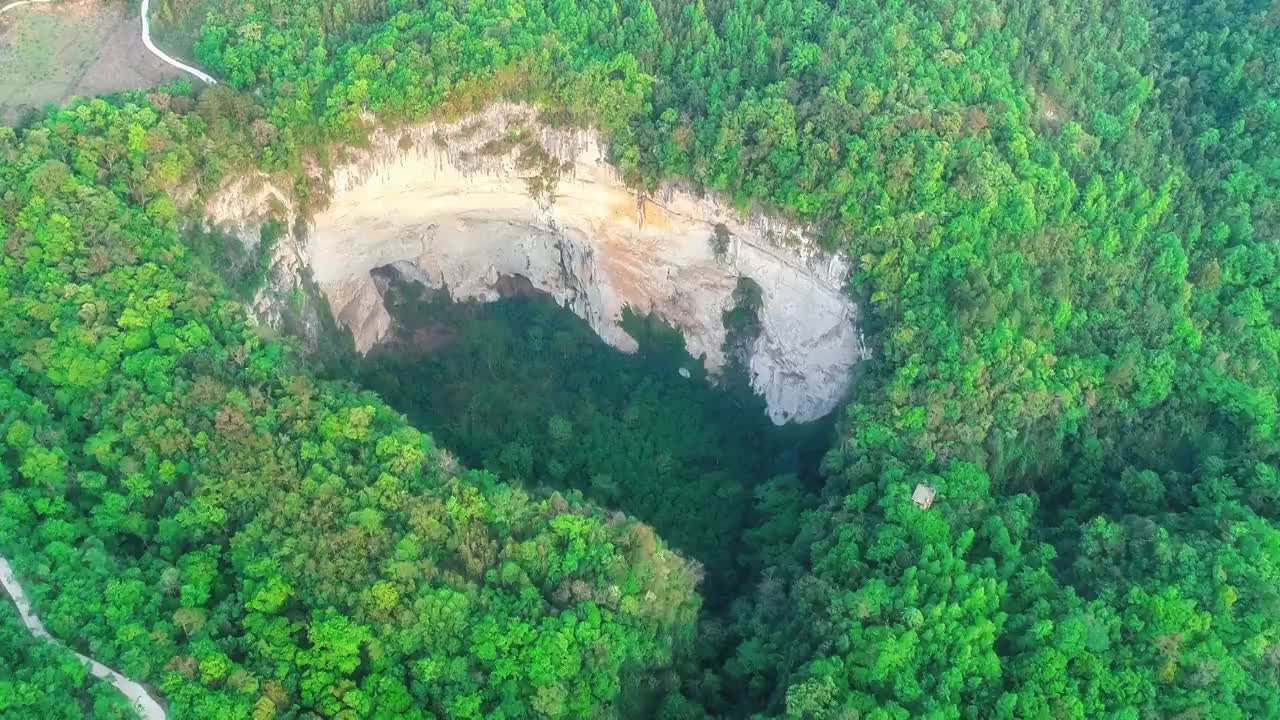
(525, 389)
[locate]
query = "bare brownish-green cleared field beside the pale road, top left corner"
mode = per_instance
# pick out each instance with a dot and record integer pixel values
(54, 52)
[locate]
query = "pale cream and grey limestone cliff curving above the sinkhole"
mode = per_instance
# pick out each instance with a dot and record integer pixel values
(500, 194)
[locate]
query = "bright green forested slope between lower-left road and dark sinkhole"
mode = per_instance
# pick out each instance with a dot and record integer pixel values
(195, 511)
